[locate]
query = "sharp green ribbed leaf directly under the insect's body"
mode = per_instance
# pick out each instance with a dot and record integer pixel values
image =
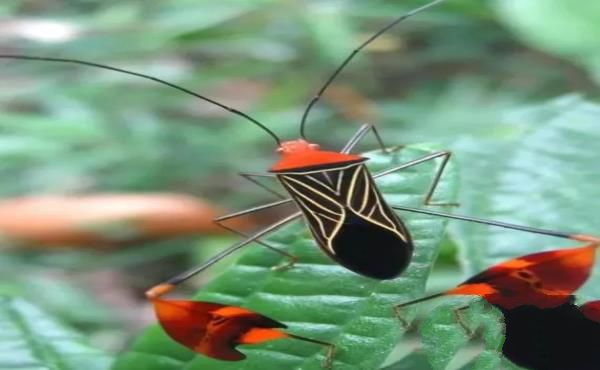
(317, 298)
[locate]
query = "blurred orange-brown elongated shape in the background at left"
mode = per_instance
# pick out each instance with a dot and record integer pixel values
(103, 220)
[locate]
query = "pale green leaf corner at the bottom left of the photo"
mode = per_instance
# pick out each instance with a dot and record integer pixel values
(33, 341)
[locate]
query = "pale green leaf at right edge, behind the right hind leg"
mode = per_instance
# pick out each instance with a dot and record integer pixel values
(548, 178)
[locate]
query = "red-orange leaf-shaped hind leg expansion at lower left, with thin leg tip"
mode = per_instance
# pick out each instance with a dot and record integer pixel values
(215, 330)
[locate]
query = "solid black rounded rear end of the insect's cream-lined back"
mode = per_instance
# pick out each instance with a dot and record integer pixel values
(370, 250)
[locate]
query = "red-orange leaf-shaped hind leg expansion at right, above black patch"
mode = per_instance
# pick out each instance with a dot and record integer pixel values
(544, 280)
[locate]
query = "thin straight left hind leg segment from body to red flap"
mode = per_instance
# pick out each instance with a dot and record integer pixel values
(169, 285)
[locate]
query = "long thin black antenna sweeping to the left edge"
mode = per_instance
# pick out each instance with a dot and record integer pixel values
(147, 77)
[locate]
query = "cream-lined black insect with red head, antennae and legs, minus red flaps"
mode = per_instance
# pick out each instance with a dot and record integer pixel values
(334, 191)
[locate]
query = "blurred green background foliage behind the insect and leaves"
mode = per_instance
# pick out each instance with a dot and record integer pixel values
(461, 75)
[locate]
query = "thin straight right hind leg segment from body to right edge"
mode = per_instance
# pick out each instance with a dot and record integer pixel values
(592, 240)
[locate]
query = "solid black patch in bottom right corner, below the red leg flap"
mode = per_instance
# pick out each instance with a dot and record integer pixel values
(557, 338)
